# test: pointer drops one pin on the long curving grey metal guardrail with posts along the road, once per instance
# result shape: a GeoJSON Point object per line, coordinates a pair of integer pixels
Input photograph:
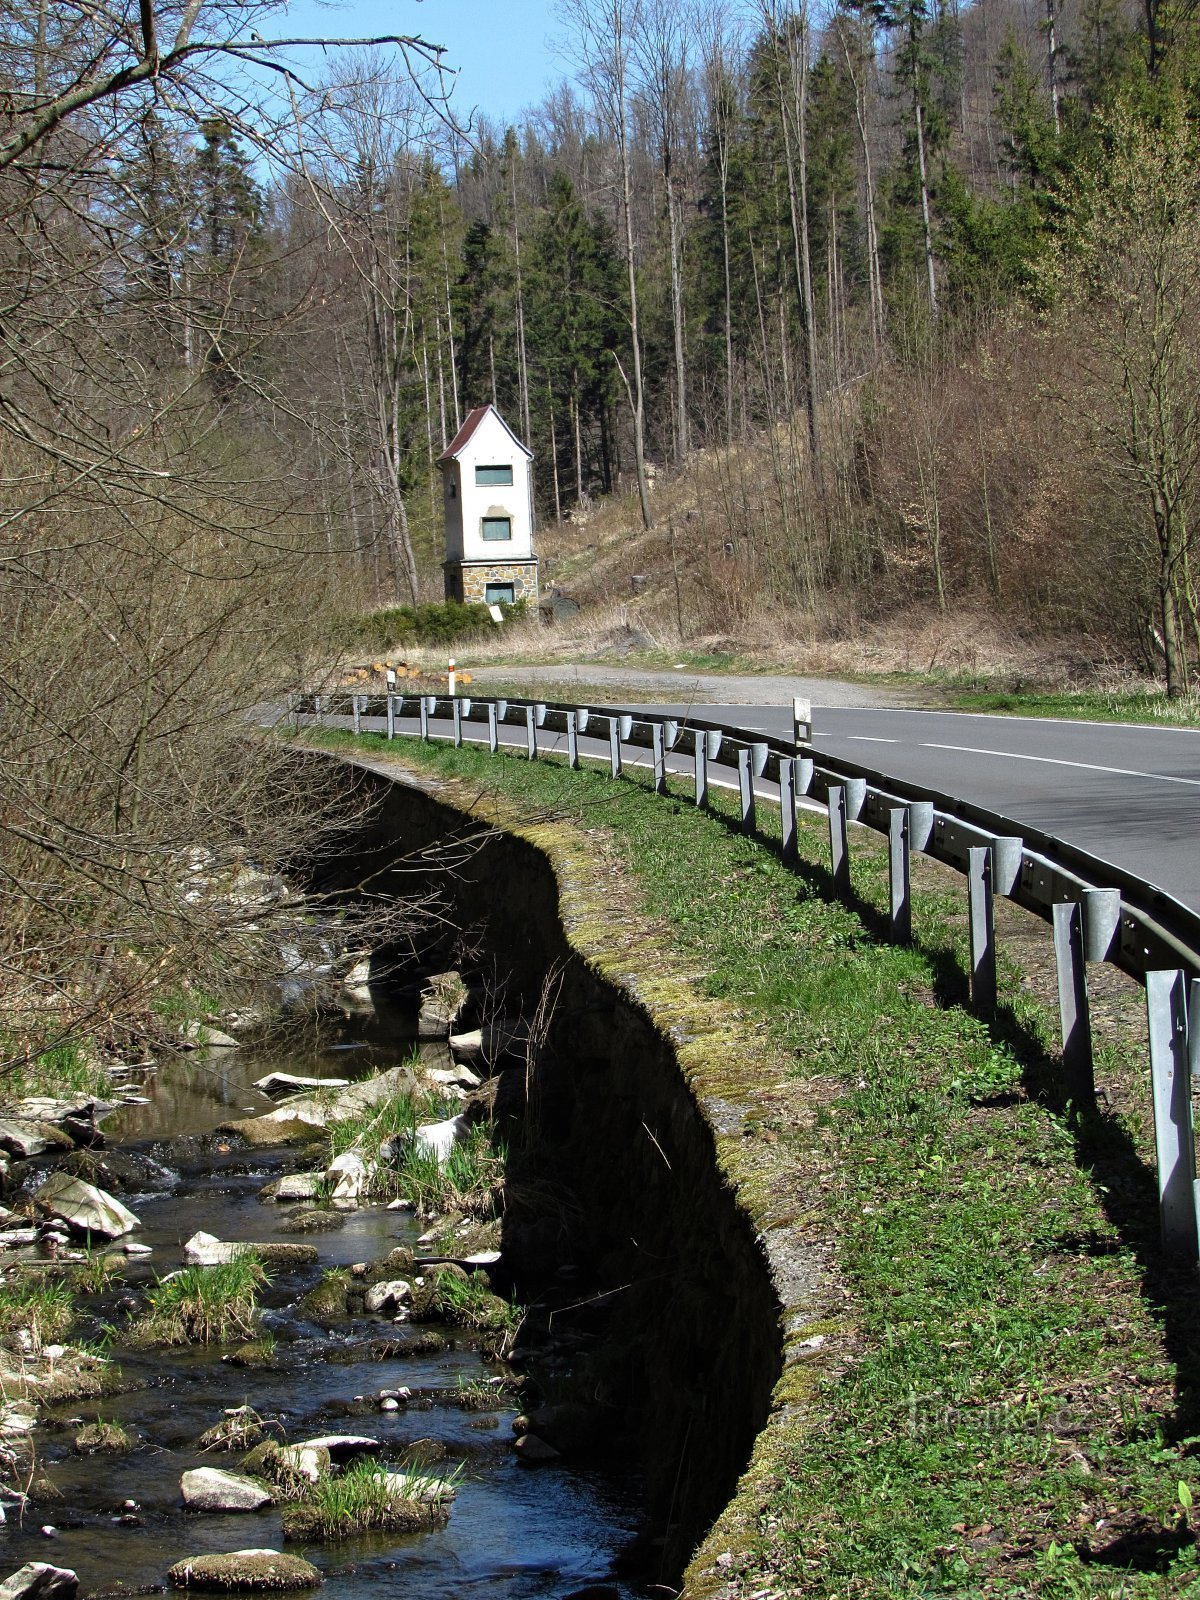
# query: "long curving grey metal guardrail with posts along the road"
{"type": "Point", "coordinates": [1098, 913]}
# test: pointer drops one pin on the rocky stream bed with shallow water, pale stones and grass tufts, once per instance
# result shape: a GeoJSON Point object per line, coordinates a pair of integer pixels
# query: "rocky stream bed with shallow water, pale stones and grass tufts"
{"type": "Point", "coordinates": [361, 1362]}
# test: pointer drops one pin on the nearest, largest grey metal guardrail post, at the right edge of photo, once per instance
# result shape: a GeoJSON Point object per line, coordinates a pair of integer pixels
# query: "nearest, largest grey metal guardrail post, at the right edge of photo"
{"type": "Point", "coordinates": [1172, 1082]}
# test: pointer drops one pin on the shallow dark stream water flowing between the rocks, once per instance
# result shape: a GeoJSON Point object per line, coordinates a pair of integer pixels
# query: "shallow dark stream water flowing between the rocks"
{"type": "Point", "coordinates": [514, 1530]}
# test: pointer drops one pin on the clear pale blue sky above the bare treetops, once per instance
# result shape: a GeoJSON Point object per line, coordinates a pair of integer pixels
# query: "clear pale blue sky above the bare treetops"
{"type": "Point", "coordinates": [503, 49]}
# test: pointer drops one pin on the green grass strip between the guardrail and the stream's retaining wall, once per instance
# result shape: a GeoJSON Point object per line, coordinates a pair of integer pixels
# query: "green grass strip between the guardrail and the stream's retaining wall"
{"type": "Point", "coordinates": [1022, 1370]}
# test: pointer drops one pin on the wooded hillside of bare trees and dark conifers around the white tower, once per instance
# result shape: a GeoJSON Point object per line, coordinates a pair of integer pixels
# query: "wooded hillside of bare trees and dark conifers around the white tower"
{"type": "Point", "coordinates": [857, 310]}
